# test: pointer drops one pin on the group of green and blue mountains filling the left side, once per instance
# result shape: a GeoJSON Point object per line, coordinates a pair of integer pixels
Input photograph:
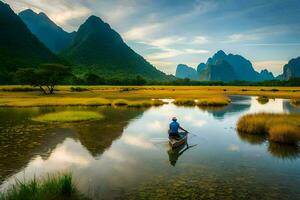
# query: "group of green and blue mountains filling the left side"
{"type": "Point", "coordinates": [30, 39]}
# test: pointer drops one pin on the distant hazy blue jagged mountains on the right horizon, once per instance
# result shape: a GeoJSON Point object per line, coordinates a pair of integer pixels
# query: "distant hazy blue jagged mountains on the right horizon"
{"type": "Point", "coordinates": [223, 67]}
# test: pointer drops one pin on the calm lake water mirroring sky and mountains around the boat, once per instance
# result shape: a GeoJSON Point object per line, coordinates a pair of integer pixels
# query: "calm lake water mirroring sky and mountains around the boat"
{"type": "Point", "coordinates": [127, 156]}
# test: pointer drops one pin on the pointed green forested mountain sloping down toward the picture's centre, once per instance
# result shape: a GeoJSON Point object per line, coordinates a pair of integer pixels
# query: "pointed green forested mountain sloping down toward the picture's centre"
{"type": "Point", "coordinates": [98, 48]}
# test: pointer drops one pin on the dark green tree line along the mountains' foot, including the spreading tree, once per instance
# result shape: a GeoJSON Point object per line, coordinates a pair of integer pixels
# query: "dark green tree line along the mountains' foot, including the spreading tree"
{"type": "Point", "coordinates": [47, 76]}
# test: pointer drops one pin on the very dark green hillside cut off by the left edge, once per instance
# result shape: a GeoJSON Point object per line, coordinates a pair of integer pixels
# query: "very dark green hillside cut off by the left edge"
{"type": "Point", "coordinates": [19, 48]}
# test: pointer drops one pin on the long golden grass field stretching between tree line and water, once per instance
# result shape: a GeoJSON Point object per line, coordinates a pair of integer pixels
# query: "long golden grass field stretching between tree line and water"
{"type": "Point", "coordinates": [105, 95]}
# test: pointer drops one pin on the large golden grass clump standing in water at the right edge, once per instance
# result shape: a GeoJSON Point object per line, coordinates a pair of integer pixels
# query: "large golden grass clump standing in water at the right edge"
{"type": "Point", "coordinates": [281, 128]}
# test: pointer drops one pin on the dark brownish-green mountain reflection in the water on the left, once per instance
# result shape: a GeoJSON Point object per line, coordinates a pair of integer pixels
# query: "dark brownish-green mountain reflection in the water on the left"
{"type": "Point", "coordinates": [22, 139]}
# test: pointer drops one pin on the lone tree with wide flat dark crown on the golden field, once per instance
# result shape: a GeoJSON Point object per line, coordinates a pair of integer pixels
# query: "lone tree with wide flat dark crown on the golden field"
{"type": "Point", "coordinates": [46, 77]}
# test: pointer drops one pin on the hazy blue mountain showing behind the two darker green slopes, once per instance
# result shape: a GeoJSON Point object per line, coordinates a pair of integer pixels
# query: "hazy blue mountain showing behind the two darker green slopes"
{"type": "Point", "coordinates": [53, 36]}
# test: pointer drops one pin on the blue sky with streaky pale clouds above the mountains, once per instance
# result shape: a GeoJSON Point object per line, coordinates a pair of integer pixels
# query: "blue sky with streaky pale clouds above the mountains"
{"type": "Point", "coordinates": [169, 32]}
